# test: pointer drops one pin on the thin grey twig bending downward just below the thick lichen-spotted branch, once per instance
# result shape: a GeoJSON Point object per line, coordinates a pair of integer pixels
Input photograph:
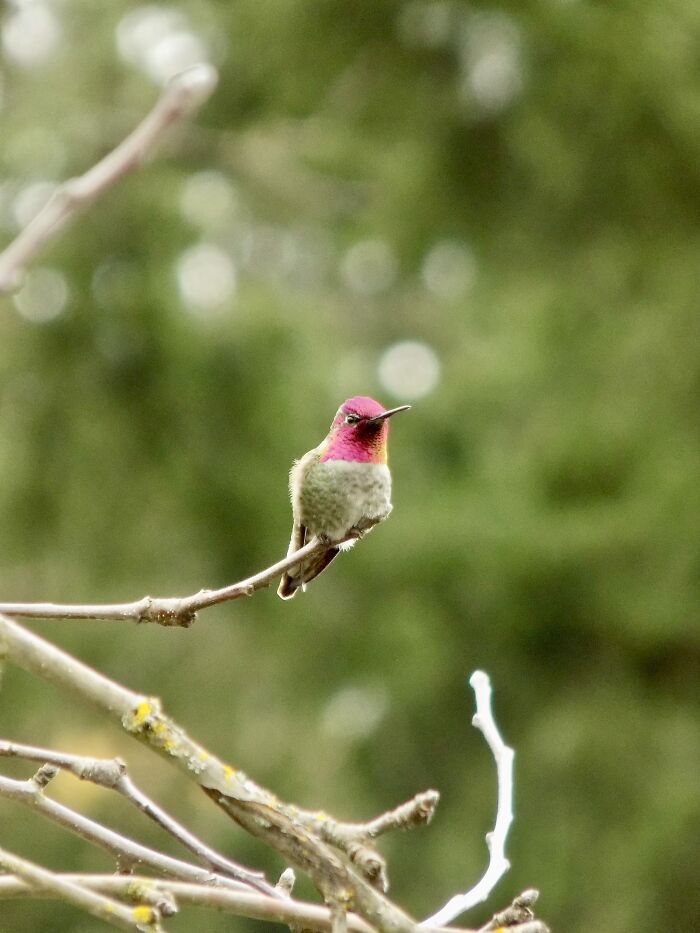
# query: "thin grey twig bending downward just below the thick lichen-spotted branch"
{"type": "Point", "coordinates": [111, 773]}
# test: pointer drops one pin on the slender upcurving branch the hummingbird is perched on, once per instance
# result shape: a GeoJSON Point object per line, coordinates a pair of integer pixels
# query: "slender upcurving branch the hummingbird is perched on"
{"type": "Point", "coordinates": [167, 610]}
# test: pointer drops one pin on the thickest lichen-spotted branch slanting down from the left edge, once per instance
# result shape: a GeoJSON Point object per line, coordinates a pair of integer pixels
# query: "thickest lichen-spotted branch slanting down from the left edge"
{"type": "Point", "coordinates": [253, 807]}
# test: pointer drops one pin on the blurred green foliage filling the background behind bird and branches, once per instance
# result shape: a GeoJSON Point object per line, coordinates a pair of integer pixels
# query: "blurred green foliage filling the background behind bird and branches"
{"type": "Point", "coordinates": [546, 489]}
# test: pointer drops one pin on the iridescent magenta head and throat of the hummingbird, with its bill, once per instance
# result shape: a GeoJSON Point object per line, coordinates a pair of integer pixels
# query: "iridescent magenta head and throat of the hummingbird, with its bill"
{"type": "Point", "coordinates": [359, 431]}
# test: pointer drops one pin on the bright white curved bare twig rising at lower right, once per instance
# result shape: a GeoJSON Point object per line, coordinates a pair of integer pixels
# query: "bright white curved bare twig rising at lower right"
{"type": "Point", "coordinates": [496, 840]}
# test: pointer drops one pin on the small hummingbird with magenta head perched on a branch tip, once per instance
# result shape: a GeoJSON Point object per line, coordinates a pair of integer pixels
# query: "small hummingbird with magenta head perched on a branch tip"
{"type": "Point", "coordinates": [340, 489]}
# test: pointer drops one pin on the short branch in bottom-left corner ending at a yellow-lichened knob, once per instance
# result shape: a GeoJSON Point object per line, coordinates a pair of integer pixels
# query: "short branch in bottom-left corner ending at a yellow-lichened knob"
{"type": "Point", "coordinates": [141, 919]}
